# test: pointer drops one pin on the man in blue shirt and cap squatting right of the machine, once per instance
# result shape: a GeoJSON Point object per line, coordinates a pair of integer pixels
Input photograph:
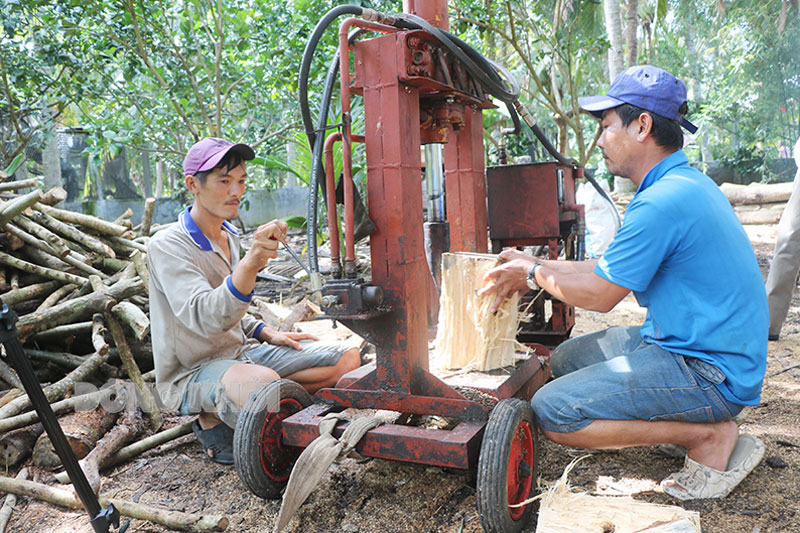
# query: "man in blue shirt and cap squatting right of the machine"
{"type": "Point", "coordinates": [700, 355]}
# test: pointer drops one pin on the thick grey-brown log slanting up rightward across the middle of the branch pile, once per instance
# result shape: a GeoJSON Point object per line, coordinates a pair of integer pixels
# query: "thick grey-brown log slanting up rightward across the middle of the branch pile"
{"type": "Point", "coordinates": [84, 306]}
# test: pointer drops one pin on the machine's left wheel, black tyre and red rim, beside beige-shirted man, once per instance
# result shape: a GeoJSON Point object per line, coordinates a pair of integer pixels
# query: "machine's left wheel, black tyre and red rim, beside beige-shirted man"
{"type": "Point", "coordinates": [261, 460]}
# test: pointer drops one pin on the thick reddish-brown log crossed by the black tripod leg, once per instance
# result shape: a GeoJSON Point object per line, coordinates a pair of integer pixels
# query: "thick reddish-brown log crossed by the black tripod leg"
{"type": "Point", "coordinates": [82, 430]}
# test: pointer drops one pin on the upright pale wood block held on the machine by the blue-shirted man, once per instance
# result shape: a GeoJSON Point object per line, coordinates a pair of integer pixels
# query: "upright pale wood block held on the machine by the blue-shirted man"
{"type": "Point", "coordinates": [469, 335]}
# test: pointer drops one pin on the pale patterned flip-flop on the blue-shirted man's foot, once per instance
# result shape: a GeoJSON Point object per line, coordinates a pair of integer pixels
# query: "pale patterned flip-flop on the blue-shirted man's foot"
{"type": "Point", "coordinates": [696, 481]}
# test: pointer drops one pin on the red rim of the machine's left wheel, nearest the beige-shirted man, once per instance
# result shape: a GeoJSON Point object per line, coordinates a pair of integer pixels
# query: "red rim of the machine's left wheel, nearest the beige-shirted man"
{"type": "Point", "coordinates": [277, 459]}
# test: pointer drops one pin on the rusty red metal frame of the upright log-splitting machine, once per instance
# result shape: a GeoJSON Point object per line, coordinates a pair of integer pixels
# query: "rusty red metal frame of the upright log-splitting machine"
{"type": "Point", "coordinates": [396, 74]}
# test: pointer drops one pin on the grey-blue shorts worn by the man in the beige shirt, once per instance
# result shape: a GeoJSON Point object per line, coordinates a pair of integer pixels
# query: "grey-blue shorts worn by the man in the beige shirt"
{"type": "Point", "coordinates": [205, 392]}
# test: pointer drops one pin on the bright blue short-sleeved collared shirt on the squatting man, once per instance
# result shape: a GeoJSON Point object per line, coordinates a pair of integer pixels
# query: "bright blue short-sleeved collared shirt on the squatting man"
{"type": "Point", "coordinates": [686, 257]}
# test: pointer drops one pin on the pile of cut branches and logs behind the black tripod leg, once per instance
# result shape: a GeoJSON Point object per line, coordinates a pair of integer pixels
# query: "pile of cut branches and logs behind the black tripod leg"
{"type": "Point", "coordinates": [79, 285]}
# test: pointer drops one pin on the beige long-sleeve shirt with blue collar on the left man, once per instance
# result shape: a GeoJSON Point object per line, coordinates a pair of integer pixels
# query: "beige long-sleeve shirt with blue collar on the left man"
{"type": "Point", "coordinates": [196, 313]}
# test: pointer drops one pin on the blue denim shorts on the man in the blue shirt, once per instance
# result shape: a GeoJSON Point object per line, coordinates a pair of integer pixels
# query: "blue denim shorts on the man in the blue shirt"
{"type": "Point", "coordinates": [615, 375]}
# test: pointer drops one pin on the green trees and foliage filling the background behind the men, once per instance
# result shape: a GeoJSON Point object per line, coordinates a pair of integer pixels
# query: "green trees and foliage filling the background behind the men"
{"type": "Point", "coordinates": [156, 76]}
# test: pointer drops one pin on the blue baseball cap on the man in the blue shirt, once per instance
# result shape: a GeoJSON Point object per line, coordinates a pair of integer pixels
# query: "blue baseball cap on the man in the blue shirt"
{"type": "Point", "coordinates": [644, 86]}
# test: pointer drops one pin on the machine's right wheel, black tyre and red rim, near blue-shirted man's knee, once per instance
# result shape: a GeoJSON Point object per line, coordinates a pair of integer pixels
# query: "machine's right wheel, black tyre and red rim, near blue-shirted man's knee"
{"type": "Point", "coordinates": [507, 467]}
